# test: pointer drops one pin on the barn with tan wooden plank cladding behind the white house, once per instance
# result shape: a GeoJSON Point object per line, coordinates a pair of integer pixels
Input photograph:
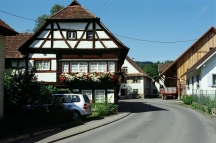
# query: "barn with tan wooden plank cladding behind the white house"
{"type": "Point", "coordinates": [172, 75]}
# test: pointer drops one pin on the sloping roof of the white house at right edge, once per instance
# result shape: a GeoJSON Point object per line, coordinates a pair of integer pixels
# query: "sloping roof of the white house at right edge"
{"type": "Point", "coordinates": [202, 61]}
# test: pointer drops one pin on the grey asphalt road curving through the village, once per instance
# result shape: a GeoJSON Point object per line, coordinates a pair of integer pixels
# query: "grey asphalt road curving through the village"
{"type": "Point", "coordinates": [153, 121]}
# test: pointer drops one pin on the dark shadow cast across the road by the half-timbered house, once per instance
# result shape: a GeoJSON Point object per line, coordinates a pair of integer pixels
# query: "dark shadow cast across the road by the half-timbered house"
{"type": "Point", "coordinates": [137, 107]}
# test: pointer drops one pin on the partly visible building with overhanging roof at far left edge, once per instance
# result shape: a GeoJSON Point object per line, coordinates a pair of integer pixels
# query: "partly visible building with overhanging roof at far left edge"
{"type": "Point", "coordinates": [5, 30]}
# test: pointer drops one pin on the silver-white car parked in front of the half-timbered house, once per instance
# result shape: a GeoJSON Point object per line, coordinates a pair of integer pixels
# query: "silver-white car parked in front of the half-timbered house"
{"type": "Point", "coordinates": [79, 103]}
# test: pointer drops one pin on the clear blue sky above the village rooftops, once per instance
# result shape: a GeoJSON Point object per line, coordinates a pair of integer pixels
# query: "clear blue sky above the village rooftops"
{"type": "Point", "coordinates": [152, 23]}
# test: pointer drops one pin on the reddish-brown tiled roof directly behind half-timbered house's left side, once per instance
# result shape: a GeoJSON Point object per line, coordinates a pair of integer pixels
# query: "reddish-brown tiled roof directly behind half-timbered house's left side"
{"type": "Point", "coordinates": [13, 43]}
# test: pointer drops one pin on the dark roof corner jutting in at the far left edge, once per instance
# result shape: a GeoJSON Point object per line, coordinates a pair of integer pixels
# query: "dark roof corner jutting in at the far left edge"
{"type": "Point", "coordinates": [6, 29]}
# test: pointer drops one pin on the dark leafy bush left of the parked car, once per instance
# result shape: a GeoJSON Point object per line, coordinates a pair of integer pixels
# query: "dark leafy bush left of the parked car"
{"type": "Point", "coordinates": [22, 88]}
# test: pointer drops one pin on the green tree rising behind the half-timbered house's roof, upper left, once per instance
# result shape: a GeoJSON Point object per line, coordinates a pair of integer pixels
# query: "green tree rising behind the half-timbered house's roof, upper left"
{"type": "Point", "coordinates": [42, 19]}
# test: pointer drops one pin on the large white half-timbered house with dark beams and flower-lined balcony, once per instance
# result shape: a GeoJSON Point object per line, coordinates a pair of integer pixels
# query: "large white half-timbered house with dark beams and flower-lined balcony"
{"type": "Point", "coordinates": [74, 46]}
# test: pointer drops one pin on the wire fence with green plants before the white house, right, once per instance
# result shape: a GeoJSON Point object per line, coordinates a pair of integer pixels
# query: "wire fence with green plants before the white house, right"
{"type": "Point", "coordinates": [205, 97]}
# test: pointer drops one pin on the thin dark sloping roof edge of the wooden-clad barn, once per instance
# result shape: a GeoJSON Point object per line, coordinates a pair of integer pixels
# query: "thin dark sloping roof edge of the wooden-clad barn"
{"type": "Point", "coordinates": [211, 29]}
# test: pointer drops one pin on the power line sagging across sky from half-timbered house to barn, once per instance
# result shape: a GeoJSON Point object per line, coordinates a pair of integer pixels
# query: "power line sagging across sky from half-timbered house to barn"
{"type": "Point", "coordinates": [143, 40]}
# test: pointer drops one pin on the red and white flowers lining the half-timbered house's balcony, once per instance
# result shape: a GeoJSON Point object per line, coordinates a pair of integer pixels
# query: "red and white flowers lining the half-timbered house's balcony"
{"type": "Point", "coordinates": [89, 77]}
